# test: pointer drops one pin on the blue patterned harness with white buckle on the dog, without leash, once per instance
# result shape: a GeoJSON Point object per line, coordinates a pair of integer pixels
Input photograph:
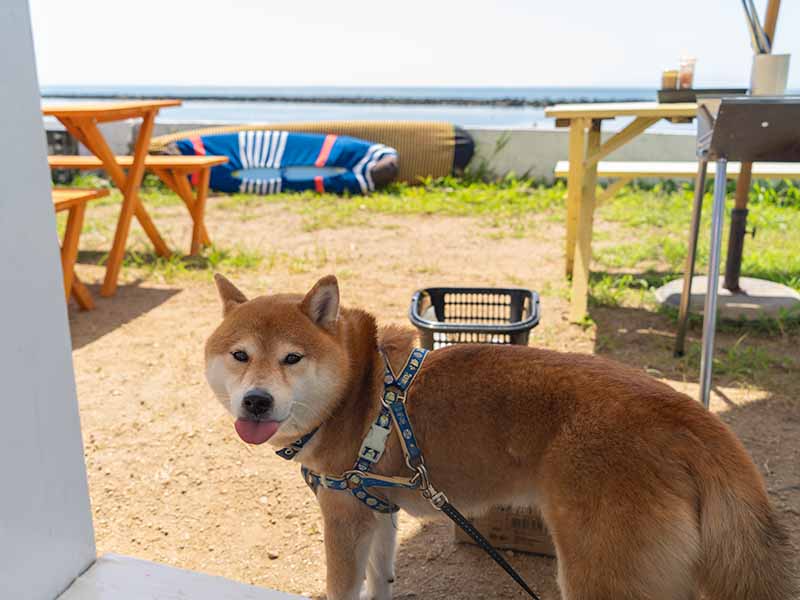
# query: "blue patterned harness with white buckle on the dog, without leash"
{"type": "Point", "coordinates": [393, 411]}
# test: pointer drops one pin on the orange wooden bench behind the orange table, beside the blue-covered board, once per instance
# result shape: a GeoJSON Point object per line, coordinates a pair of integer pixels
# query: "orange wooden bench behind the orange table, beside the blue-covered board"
{"type": "Point", "coordinates": [174, 172]}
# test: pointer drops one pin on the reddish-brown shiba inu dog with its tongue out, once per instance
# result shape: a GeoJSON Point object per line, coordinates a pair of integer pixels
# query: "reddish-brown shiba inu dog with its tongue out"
{"type": "Point", "coordinates": [646, 494]}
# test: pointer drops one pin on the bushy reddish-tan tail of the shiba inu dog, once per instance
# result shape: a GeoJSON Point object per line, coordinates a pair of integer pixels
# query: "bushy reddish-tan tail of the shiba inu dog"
{"type": "Point", "coordinates": [746, 553]}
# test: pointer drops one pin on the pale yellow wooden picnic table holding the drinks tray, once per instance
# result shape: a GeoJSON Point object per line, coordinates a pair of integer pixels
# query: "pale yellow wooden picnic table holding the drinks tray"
{"type": "Point", "coordinates": [585, 150]}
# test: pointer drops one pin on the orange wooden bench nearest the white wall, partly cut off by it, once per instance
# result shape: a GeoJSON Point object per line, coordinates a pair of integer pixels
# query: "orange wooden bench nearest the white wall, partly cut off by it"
{"type": "Point", "coordinates": [74, 201]}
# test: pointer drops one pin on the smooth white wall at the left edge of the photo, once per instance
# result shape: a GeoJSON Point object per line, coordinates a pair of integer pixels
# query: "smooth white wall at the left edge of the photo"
{"type": "Point", "coordinates": [46, 536]}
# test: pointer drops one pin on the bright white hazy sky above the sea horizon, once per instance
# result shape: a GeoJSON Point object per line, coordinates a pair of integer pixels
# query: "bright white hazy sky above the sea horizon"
{"type": "Point", "coordinates": [399, 43]}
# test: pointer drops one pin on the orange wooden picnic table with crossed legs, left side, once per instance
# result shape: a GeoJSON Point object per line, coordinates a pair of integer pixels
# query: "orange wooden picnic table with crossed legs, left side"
{"type": "Point", "coordinates": [81, 121]}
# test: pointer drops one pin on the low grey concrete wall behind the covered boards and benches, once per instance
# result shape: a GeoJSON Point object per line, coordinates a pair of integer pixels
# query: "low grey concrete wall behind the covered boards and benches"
{"type": "Point", "coordinates": [527, 151]}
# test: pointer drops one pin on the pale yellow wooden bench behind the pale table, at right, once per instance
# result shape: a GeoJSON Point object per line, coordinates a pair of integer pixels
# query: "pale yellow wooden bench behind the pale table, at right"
{"type": "Point", "coordinates": [625, 171]}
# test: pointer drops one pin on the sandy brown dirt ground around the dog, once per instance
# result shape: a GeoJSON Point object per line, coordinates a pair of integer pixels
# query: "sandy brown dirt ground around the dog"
{"type": "Point", "coordinates": [170, 481]}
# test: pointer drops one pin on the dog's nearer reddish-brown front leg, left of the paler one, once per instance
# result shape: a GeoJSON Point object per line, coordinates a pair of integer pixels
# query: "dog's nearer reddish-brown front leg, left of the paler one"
{"type": "Point", "coordinates": [349, 529]}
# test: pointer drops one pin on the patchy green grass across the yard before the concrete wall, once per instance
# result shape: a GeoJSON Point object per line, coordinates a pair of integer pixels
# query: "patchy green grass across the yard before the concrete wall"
{"type": "Point", "coordinates": [648, 236]}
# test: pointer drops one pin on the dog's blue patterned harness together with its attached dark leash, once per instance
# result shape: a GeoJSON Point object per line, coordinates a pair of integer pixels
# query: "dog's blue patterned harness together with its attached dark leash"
{"type": "Point", "coordinates": [358, 479]}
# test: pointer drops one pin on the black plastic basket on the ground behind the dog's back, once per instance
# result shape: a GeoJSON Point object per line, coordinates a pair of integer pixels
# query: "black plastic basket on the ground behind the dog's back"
{"type": "Point", "coordinates": [449, 315]}
